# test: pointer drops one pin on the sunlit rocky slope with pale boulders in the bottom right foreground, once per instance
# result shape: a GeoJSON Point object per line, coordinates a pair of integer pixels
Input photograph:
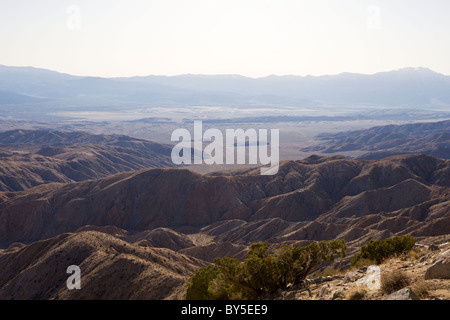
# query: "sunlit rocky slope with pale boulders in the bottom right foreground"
{"type": "Point", "coordinates": [414, 274]}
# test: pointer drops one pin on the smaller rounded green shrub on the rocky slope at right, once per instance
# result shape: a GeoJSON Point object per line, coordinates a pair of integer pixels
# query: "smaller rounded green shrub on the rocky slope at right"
{"type": "Point", "coordinates": [378, 250]}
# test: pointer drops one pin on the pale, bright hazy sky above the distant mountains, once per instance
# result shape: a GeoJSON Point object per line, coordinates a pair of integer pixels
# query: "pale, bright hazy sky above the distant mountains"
{"type": "Point", "coordinates": [249, 37]}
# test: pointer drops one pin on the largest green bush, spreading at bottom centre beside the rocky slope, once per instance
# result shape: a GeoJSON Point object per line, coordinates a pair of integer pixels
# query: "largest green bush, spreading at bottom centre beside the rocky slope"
{"type": "Point", "coordinates": [262, 270]}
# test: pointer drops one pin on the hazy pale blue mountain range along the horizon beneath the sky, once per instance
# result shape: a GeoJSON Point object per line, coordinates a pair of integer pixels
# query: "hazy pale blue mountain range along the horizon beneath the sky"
{"type": "Point", "coordinates": [411, 87]}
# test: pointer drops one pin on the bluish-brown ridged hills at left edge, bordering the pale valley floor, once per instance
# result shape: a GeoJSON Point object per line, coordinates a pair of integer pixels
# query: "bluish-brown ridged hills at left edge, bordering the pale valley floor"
{"type": "Point", "coordinates": [32, 157]}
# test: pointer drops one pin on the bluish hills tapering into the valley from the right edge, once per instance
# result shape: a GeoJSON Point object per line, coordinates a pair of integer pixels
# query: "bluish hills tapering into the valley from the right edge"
{"type": "Point", "coordinates": [431, 138]}
